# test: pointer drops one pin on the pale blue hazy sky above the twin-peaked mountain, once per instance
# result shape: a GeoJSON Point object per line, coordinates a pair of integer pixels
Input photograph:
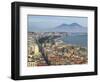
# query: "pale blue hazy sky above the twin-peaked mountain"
{"type": "Point", "coordinates": [36, 21]}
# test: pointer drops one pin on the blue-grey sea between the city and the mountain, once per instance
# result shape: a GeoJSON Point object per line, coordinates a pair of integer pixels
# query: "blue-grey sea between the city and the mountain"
{"type": "Point", "coordinates": [76, 39]}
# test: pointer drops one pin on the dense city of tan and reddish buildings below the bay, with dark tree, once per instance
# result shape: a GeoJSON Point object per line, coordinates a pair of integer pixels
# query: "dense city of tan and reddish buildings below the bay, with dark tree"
{"type": "Point", "coordinates": [47, 48]}
